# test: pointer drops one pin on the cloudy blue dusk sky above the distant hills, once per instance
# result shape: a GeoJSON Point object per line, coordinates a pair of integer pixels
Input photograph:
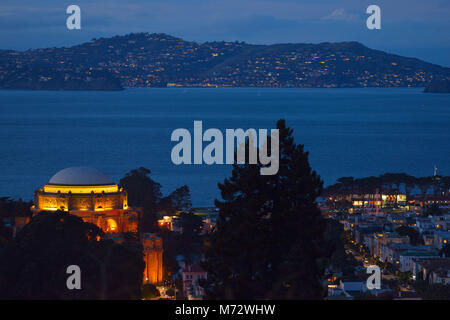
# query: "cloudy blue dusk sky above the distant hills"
{"type": "Point", "coordinates": [415, 28]}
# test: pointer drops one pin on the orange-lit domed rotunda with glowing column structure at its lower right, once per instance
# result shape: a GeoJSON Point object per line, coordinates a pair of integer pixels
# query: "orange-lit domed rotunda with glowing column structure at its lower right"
{"type": "Point", "coordinates": [91, 195]}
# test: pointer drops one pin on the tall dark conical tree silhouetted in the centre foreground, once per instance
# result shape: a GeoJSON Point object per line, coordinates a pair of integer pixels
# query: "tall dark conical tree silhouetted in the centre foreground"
{"type": "Point", "coordinates": [269, 231]}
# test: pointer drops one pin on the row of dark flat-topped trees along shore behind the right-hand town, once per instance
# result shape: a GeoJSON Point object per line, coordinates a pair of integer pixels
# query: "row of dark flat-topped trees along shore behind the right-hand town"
{"type": "Point", "coordinates": [390, 183]}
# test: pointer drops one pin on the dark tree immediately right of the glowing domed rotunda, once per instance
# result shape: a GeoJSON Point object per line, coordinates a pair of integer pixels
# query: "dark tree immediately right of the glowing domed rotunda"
{"type": "Point", "coordinates": [143, 192]}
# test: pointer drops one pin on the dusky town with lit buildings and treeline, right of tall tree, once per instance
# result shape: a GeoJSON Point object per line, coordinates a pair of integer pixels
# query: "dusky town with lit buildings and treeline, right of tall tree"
{"type": "Point", "coordinates": [406, 235]}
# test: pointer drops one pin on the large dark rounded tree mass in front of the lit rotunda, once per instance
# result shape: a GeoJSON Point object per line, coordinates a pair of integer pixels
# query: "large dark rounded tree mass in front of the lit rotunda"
{"type": "Point", "coordinates": [34, 264]}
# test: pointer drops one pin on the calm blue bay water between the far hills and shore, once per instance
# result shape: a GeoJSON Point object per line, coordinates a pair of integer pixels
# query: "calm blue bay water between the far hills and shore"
{"type": "Point", "coordinates": [356, 132]}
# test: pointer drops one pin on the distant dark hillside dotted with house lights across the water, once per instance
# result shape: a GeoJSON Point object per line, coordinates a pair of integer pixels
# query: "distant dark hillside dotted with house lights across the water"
{"type": "Point", "coordinates": [160, 60]}
